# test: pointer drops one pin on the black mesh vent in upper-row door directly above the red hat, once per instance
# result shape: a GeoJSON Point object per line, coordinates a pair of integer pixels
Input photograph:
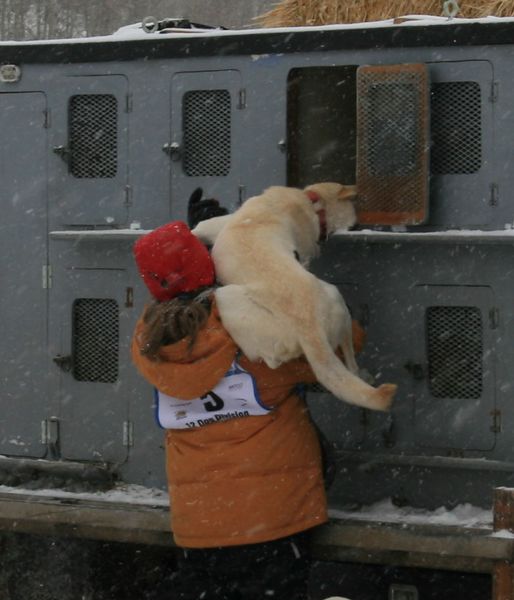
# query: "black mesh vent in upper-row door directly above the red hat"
{"type": "Point", "coordinates": [207, 133]}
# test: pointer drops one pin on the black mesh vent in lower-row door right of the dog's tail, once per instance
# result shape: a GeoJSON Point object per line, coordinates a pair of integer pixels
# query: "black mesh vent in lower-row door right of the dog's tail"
{"type": "Point", "coordinates": [454, 335]}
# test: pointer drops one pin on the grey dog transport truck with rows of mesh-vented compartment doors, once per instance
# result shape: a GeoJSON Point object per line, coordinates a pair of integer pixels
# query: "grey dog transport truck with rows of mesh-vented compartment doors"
{"type": "Point", "coordinates": [105, 138]}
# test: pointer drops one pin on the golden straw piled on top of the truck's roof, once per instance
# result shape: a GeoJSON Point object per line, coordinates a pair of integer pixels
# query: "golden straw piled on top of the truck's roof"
{"type": "Point", "coordinates": [294, 13]}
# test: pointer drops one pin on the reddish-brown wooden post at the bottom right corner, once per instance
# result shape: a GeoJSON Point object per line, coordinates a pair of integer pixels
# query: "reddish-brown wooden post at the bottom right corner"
{"type": "Point", "coordinates": [503, 519]}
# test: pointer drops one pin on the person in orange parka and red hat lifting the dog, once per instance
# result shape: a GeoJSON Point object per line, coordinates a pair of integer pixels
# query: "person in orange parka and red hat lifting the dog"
{"type": "Point", "coordinates": [243, 457]}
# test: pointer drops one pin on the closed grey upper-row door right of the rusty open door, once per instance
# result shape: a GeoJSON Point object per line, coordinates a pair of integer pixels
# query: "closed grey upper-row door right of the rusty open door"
{"type": "Point", "coordinates": [462, 101]}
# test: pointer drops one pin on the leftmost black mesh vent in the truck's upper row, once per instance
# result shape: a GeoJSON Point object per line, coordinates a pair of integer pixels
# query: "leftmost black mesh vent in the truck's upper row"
{"type": "Point", "coordinates": [93, 131]}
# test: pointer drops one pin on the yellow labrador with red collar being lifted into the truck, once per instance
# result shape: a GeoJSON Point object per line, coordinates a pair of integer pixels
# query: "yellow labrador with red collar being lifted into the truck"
{"type": "Point", "coordinates": [274, 308]}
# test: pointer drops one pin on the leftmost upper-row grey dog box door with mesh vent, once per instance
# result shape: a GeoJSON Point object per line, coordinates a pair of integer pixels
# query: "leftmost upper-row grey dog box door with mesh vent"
{"type": "Point", "coordinates": [90, 152]}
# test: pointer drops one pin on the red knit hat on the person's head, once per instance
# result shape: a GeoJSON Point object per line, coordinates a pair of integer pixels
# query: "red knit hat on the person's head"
{"type": "Point", "coordinates": [171, 261]}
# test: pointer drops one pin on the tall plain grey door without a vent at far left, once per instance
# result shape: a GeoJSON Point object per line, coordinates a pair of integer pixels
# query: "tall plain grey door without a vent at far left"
{"type": "Point", "coordinates": [24, 395]}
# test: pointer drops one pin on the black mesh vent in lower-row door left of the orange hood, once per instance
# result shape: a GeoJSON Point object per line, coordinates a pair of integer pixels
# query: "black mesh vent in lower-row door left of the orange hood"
{"type": "Point", "coordinates": [95, 340]}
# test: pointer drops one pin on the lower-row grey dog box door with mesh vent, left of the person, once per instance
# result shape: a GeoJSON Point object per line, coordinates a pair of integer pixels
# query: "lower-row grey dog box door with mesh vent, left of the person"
{"type": "Point", "coordinates": [89, 325]}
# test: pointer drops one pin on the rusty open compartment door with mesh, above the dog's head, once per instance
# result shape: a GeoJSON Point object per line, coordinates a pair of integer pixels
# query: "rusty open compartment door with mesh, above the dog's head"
{"type": "Point", "coordinates": [393, 140]}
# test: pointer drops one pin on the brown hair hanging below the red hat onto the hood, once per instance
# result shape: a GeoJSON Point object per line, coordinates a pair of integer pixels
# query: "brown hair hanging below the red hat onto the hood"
{"type": "Point", "coordinates": [172, 321]}
